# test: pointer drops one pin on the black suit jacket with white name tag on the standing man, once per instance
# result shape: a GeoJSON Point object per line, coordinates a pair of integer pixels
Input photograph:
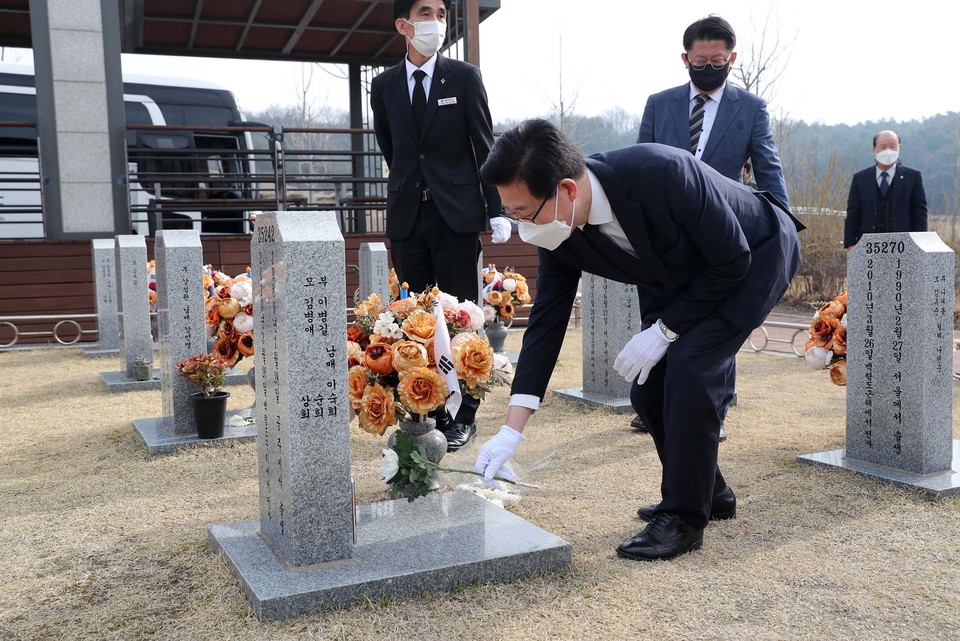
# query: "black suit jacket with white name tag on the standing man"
{"type": "Point", "coordinates": [446, 156]}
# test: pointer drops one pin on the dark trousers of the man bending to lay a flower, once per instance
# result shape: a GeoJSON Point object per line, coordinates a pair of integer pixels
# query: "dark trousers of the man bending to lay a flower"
{"type": "Point", "coordinates": [681, 405]}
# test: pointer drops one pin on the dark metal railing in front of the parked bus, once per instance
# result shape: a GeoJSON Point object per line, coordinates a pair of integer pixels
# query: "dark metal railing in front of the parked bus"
{"type": "Point", "coordinates": [216, 179]}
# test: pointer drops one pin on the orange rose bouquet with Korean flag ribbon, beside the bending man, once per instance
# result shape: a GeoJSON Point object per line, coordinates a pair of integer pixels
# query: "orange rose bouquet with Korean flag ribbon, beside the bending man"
{"type": "Point", "coordinates": [391, 351]}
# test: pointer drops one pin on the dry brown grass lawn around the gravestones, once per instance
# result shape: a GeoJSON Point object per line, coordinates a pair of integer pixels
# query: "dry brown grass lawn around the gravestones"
{"type": "Point", "coordinates": [101, 541]}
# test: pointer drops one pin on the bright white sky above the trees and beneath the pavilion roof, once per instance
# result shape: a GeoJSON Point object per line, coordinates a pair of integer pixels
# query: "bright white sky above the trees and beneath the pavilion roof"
{"type": "Point", "coordinates": [844, 61]}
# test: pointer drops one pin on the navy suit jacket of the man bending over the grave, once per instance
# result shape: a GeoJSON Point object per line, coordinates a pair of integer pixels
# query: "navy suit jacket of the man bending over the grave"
{"type": "Point", "coordinates": [705, 245]}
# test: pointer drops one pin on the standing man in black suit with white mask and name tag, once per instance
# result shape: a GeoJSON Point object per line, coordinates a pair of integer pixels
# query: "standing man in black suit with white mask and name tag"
{"type": "Point", "coordinates": [433, 126]}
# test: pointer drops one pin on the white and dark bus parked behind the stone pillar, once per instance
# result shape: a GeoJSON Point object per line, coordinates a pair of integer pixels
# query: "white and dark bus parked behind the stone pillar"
{"type": "Point", "coordinates": [191, 164]}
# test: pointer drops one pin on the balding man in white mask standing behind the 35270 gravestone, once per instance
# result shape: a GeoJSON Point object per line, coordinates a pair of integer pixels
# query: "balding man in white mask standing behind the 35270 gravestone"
{"type": "Point", "coordinates": [887, 197]}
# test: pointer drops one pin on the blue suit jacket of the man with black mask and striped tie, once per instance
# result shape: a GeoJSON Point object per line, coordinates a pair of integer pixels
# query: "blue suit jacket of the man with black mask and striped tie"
{"type": "Point", "coordinates": [741, 130]}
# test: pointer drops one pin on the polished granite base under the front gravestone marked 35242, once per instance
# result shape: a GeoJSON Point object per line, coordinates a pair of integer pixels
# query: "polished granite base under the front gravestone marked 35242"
{"type": "Point", "coordinates": [435, 544]}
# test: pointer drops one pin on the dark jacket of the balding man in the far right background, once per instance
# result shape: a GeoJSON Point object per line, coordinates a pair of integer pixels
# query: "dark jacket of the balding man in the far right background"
{"type": "Point", "coordinates": [909, 203]}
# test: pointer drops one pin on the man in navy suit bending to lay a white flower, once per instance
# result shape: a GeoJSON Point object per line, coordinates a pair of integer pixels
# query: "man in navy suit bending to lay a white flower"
{"type": "Point", "coordinates": [710, 258]}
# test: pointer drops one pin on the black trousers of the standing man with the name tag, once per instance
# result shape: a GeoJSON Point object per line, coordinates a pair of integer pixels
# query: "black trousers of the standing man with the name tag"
{"type": "Point", "coordinates": [434, 254]}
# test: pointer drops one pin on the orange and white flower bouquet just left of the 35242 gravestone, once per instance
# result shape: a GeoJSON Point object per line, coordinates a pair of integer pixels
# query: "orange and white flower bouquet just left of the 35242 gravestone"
{"type": "Point", "coordinates": [229, 314]}
